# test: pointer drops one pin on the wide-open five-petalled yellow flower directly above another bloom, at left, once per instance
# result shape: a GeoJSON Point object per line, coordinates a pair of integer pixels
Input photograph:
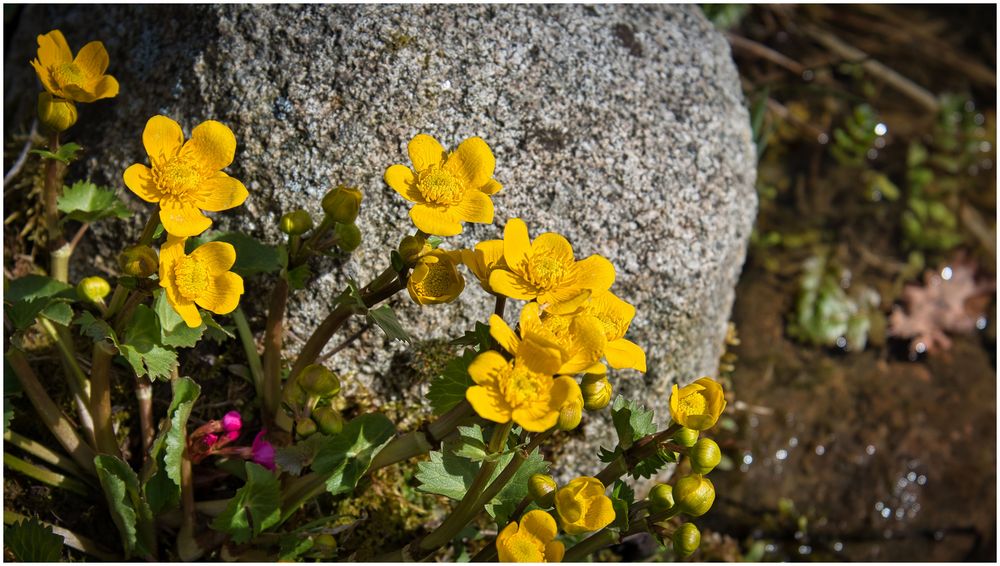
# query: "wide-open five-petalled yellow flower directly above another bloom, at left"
{"type": "Point", "coordinates": [186, 177]}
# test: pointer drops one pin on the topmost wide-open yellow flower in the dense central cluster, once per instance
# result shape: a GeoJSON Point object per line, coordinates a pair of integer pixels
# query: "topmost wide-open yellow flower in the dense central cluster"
{"type": "Point", "coordinates": [545, 270]}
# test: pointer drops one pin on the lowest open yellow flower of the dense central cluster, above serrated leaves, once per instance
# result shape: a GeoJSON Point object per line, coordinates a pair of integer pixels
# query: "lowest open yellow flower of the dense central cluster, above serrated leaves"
{"type": "Point", "coordinates": [511, 391]}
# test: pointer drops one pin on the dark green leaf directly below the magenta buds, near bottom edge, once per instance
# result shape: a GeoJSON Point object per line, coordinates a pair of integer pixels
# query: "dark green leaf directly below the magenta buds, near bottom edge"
{"type": "Point", "coordinates": [255, 508]}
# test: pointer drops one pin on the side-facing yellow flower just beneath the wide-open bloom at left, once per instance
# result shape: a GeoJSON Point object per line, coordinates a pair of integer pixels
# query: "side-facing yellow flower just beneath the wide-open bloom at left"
{"type": "Point", "coordinates": [202, 278]}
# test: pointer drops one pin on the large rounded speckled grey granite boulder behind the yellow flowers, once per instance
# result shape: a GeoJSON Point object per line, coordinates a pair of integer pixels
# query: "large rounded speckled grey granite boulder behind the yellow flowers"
{"type": "Point", "coordinates": [621, 127]}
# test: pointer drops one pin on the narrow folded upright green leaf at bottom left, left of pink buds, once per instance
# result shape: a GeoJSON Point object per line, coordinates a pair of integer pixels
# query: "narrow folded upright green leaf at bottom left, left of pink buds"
{"type": "Point", "coordinates": [128, 509]}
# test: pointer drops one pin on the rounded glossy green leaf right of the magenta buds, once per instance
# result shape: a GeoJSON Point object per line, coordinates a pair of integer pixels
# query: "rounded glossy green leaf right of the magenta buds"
{"type": "Point", "coordinates": [345, 457]}
